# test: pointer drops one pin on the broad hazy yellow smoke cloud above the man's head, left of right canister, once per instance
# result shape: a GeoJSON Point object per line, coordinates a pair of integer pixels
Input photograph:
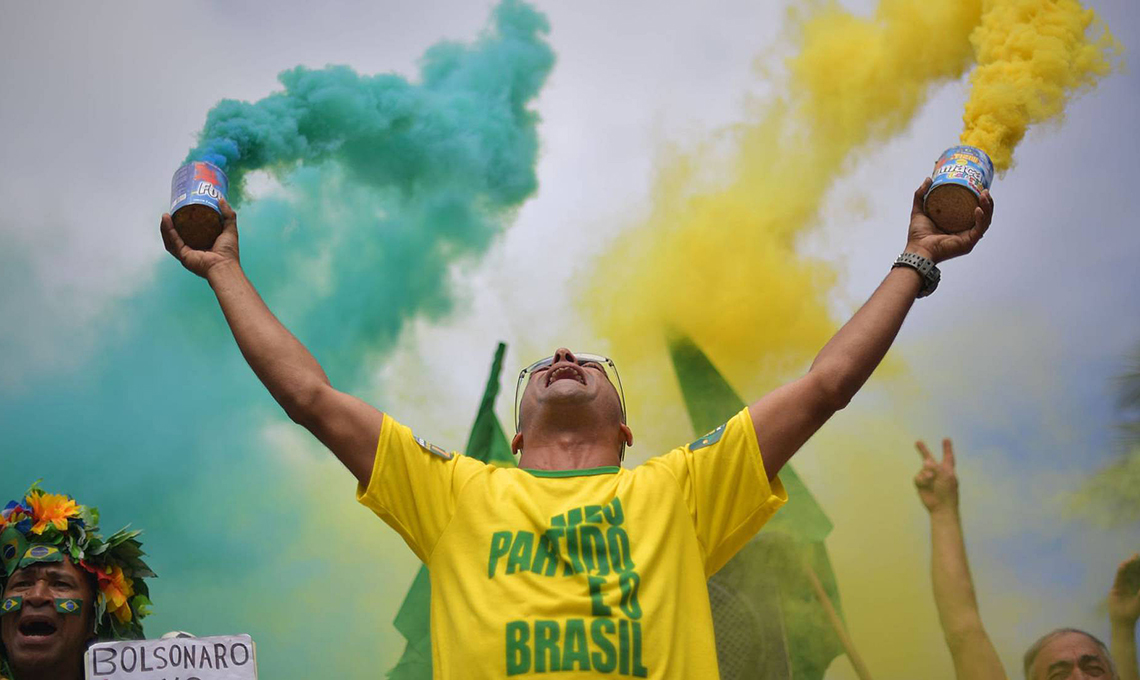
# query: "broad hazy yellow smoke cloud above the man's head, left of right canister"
{"type": "Point", "coordinates": [718, 257]}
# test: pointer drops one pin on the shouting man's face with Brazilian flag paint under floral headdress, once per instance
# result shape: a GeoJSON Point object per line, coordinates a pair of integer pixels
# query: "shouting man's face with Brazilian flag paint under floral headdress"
{"type": "Point", "coordinates": [37, 636]}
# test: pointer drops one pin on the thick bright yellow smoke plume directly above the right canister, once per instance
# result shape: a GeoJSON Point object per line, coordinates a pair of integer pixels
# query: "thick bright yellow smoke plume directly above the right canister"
{"type": "Point", "coordinates": [1033, 56]}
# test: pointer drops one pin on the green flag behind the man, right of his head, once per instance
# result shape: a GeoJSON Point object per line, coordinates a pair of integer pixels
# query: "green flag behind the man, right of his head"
{"type": "Point", "coordinates": [768, 620]}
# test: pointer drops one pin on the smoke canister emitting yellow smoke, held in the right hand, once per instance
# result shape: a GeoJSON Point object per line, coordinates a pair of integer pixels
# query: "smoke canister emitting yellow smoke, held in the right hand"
{"type": "Point", "coordinates": [960, 176]}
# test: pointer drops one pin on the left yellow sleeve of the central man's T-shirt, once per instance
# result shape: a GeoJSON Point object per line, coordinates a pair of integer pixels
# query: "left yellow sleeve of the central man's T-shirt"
{"type": "Point", "coordinates": [416, 485]}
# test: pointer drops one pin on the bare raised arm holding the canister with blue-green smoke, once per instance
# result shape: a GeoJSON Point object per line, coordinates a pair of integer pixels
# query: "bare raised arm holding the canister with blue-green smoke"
{"type": "Point", "coordinates": [343, 423]}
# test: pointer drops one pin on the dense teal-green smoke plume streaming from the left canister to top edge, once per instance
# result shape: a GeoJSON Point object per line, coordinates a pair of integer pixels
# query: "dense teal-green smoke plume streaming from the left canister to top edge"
{"type": "Point", "coordinates": [463, 132]}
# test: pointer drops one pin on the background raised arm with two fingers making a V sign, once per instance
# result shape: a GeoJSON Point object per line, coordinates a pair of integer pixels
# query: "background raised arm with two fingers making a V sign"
{"type": "Point", "coordinates": [974, 654]}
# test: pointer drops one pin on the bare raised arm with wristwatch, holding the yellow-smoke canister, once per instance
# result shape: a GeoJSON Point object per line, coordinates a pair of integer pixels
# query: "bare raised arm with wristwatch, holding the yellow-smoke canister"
{"type": "Point", "coordinates": [786, 418]}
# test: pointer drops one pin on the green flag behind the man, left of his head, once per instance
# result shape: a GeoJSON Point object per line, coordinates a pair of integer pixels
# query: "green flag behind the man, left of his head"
{"type": "Point", "coordinates": [490, 444]}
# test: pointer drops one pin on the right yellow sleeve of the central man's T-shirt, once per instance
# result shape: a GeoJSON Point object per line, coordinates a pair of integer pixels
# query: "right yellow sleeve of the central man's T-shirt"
{"type": "Point", "coordinates": [726, 488]}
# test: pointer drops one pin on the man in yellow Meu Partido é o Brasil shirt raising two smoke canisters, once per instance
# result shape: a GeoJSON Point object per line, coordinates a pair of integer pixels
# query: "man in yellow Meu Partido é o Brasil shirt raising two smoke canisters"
{"type": "Point", "coordinates": [572, 564]}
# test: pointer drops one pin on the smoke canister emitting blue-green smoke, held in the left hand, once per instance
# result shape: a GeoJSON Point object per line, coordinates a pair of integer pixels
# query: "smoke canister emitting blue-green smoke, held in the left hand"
{"type": "Point", "coordinates": [194, 195]}
